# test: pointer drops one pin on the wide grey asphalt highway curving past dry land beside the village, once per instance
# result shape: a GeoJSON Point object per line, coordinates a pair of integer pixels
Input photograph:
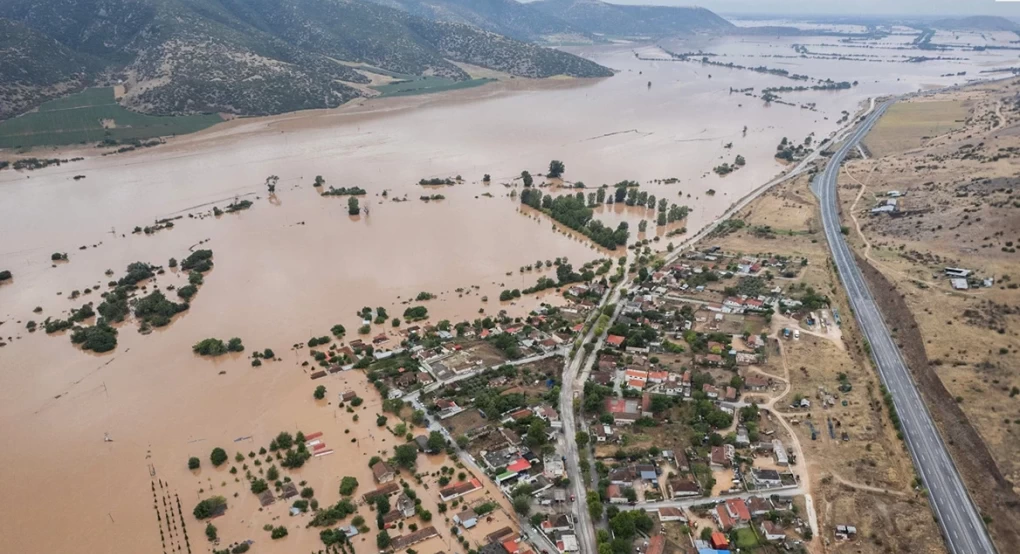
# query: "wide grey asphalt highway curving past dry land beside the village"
{"type": "Point", "coordinates": [961, 524]}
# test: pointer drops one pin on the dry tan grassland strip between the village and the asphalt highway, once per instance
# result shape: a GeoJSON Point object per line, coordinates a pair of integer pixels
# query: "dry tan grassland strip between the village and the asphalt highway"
{"type": "Point", "coordinates": [874, 457]}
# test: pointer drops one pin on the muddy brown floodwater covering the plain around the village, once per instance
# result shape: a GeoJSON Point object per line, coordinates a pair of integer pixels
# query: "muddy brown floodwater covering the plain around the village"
{"type": "Point", "coordinates": [295, 265]}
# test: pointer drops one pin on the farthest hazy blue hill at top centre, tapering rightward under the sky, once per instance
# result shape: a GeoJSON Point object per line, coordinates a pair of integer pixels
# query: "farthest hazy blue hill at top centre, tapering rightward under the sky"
{"type": "Point", "coordinates": [627, 21]}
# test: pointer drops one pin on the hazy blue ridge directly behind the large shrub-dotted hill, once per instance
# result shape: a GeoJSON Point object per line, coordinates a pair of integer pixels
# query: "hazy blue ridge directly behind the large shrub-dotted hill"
{"type": "Point", "coordinates": [508, 18]}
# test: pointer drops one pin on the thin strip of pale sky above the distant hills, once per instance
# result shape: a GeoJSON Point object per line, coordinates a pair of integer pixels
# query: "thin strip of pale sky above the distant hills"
{"type": "Point", "coordinates": [850, 8]}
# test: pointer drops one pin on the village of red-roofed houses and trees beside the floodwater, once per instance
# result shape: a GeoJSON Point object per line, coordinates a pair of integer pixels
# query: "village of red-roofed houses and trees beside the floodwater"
{"type": "Point", "coordinates": [687, 416]}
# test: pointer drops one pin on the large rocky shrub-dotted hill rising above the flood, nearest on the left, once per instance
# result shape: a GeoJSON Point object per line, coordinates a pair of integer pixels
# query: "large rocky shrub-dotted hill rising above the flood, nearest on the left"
{"type": "Point", "coordinates": [251, 57]}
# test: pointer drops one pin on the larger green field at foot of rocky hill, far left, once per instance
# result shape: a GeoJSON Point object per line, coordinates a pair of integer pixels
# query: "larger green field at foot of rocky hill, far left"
{"type": "Point", "coordinates": [79, 119]}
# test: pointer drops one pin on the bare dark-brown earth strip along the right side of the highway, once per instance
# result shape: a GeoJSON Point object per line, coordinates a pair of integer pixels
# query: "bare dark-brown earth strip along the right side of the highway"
{"type": "Point", "coordinates": [993, 492]}
